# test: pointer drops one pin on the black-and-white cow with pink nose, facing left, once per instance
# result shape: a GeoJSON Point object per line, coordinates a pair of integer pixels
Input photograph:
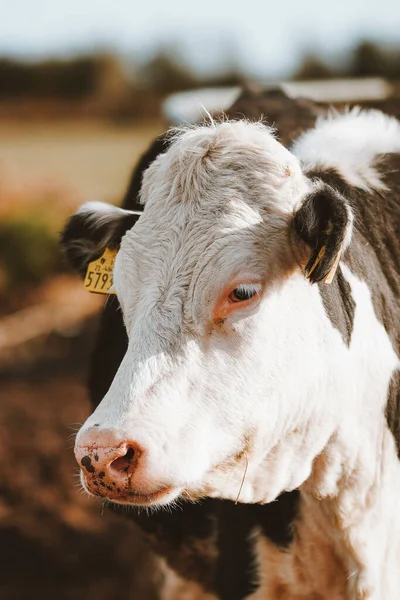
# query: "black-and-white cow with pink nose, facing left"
{"type": "Point", "coordinates": [259, 292]}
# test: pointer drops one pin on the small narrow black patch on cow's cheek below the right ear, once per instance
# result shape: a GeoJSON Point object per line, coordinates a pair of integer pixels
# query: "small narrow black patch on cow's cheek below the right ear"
{"type": "Point", "coordinates": [339, 305]}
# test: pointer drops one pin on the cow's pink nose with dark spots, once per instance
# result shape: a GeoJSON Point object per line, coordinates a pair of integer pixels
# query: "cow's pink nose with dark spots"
{"type": "Point", "coordinates": [108, 465]}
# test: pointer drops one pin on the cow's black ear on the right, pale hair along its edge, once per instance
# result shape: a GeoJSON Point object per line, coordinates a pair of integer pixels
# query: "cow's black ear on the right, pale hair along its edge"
{"type": "Point", "coordinates": [323, 224]}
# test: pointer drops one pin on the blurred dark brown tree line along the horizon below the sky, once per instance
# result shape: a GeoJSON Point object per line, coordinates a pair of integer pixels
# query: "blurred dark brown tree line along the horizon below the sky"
{"type": "Point", "coordinates": [100, 85]}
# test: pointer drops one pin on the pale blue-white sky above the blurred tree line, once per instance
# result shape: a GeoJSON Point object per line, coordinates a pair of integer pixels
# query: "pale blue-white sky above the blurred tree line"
{"type": "Point", "coordinates": [260, 36]}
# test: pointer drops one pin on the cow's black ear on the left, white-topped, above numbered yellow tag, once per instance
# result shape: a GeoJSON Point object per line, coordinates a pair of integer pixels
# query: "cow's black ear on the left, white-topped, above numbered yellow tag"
{"type": "Point", "coordinates": [93, 228]}
